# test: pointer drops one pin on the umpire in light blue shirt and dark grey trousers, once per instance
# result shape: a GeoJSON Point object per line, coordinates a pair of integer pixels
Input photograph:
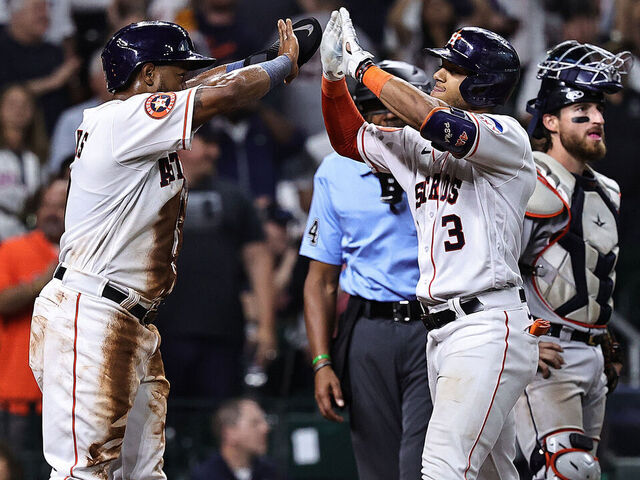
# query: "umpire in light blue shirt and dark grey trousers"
{"type": "Point", "coordinates": [378, 357]}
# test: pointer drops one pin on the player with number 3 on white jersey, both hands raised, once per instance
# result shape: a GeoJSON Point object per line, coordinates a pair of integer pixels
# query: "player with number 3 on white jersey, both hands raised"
{"type": "Point", "coordinates": [468, 175]}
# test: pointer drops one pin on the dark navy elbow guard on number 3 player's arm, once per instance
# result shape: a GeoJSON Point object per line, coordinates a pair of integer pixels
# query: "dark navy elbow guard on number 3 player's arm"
{"type": "Point", "coordinates": [450, 129]}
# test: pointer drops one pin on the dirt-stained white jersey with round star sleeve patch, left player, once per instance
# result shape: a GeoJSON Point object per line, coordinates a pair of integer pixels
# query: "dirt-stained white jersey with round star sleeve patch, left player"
{"type": "Point", "coordinates": [127, 198]}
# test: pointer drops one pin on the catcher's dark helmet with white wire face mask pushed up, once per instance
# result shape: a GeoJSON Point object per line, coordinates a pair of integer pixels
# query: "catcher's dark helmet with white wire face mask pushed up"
{"type": "Point", "coordinates": [575, 72]}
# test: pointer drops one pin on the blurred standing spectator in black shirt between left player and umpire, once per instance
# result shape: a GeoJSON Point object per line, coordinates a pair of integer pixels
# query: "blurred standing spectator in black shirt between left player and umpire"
{"type": "Point", "coordinates": [202, 322]}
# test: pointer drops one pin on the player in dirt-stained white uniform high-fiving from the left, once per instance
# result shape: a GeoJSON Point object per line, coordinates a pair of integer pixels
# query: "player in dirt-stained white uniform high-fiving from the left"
{"type": "Point", "coordinates": [93, 351]}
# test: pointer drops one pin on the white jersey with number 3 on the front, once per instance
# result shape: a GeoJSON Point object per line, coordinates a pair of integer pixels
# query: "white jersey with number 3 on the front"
{"type": "Point", "coordinates": [469, 211]}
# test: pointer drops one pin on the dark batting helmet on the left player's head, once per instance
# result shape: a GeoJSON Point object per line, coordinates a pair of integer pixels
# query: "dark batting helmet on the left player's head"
{"type": "Point", "coordinates": [142, 42]}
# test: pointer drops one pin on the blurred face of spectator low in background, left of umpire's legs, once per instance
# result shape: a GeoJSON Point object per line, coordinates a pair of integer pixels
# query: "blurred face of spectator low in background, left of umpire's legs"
{"type": "Point", "coordinates": [251, 430]}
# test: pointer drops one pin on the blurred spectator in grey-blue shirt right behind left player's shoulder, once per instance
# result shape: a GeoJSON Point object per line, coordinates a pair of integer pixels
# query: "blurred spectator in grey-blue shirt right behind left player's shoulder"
{"type": "Point", "coordinates": [63, 141]}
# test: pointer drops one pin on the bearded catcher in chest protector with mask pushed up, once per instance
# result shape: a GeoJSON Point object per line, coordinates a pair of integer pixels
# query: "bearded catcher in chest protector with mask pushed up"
{"type": "Point", "coordinates": [570, 248]}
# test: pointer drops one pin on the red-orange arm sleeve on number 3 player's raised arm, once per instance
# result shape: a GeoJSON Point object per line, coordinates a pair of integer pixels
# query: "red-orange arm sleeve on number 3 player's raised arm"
{"type": "Point", "coordinates": [341, 118]}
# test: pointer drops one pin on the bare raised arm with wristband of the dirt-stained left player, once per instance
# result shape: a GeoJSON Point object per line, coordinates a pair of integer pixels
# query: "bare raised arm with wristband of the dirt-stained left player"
{"type": "Point", "coordinates": [223, 91]}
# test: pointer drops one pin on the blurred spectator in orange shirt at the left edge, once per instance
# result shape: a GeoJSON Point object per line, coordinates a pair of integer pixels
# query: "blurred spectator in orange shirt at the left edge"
{"type": "Point", "coordinates": [27, 263]}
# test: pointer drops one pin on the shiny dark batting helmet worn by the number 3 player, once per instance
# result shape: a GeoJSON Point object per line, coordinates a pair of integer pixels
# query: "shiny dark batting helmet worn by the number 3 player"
{"type": "Point", "coordinates": [492, 63]}
